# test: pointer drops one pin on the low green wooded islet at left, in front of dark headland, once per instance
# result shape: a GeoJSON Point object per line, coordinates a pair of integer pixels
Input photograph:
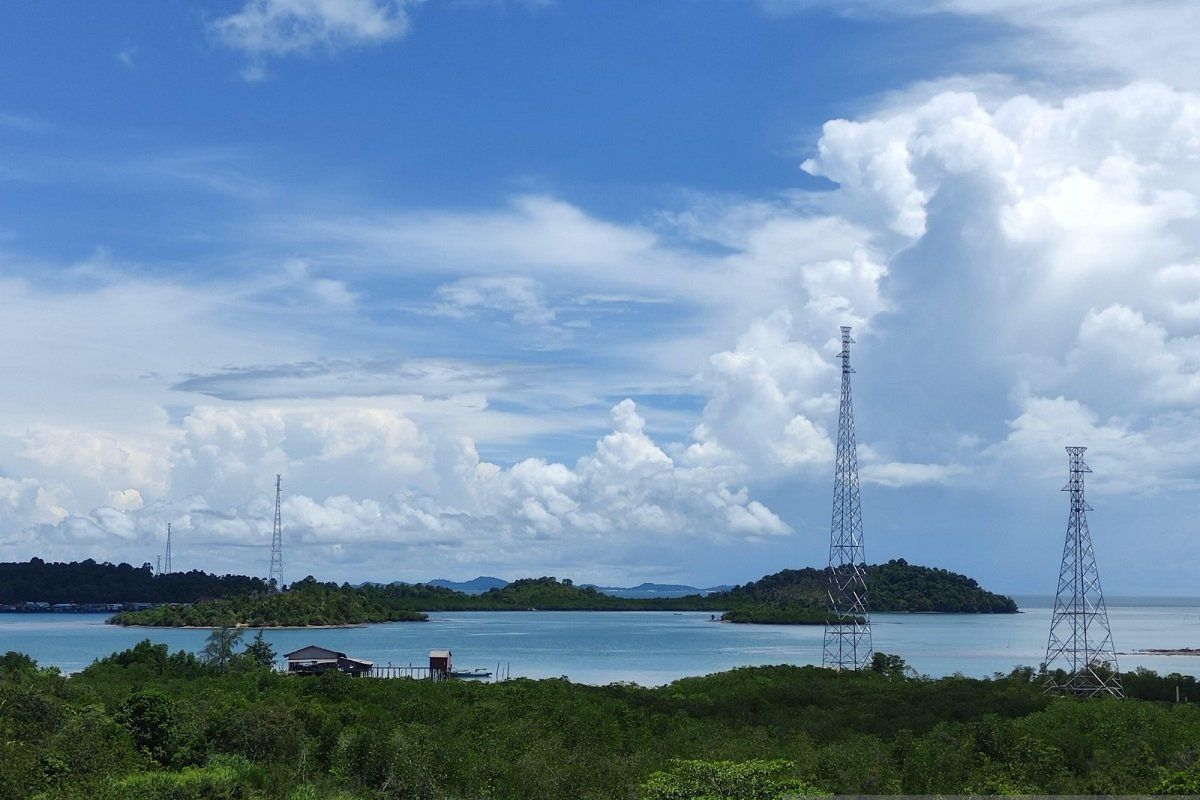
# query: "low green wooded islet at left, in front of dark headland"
{"type": "Point", "coordinates": [304, 604]}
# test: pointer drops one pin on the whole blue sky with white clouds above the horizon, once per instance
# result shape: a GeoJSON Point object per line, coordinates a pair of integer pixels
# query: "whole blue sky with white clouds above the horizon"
{"type": "Point", "coordinates": [553, 287]}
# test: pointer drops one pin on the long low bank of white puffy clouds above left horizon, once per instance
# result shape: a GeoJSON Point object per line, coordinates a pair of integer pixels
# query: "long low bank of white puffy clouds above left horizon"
{"type": "Point", "coordinates": [374, 477]}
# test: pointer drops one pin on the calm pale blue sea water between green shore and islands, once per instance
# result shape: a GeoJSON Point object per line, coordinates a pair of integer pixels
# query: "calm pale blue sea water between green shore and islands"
{"type": "Point", "coordinates": [652, 648]}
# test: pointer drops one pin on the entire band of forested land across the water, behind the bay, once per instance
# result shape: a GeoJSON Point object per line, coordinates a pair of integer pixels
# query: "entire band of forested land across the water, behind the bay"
{"type": "Point", "coordinates": [201, 600]}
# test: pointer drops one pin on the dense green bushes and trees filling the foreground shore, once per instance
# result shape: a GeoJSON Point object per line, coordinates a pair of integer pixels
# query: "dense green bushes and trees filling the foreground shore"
{"type": "Point", "coordinates": [148, 725]}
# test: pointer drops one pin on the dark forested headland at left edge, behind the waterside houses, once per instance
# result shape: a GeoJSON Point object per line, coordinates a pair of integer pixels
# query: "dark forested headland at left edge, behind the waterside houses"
{"type": "Point", "coordinates": [88, 582]}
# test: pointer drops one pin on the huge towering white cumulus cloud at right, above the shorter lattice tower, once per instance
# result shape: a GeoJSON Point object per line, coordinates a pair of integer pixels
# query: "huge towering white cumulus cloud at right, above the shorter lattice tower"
{"type": "Point", "coordinates": [1052, 244]}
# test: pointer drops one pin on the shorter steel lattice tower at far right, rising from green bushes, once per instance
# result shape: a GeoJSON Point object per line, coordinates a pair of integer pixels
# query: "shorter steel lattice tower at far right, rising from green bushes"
{"type": "Point", "coordinates": [1081, 640]}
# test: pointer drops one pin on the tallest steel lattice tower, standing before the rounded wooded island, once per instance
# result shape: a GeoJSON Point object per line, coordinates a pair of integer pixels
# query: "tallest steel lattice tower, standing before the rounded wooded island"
{"type": "Point", "coordinates": [848, 639]}
